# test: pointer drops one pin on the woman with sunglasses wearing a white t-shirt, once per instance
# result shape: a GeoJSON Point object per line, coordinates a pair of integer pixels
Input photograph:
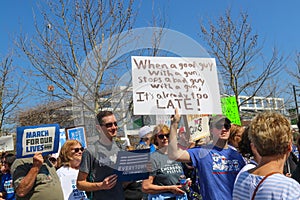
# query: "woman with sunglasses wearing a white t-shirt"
{"type": "Point", "coordinates": [68, 162]}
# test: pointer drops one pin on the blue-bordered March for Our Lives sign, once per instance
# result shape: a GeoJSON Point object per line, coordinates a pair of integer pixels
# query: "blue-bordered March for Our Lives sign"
{"type": "Point", "coordinates": [32, 139]}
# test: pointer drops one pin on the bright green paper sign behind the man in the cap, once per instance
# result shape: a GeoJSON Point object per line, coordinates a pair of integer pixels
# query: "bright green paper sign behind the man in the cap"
{"type": "Point", "coordinates": [230, 109]}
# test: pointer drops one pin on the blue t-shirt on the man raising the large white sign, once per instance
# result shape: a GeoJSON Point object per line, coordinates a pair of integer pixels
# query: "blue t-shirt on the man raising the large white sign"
{"type": "Point", "coordinates": [217, 169]}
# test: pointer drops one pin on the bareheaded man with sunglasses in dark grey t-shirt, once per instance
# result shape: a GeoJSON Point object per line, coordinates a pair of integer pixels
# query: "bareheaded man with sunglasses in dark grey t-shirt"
{"type": "Point", "coordinates": [97, 169]}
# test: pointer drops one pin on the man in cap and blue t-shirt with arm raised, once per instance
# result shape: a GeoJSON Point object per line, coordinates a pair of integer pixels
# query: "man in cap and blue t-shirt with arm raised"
{"type": "Point", "coordinates": [217, 165]}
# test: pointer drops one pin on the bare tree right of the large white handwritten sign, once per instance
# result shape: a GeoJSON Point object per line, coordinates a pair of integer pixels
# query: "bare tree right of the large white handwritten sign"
{"type": "Point", "coordinates": [243, 68]}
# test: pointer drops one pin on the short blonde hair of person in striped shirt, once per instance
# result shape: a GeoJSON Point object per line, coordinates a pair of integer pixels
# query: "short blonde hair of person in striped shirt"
{"type": "Point", "coordinates": [271, 133]}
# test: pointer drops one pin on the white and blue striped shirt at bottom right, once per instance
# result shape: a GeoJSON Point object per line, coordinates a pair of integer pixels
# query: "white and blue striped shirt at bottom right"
{"type": "Point", "coordinates": [275, 187]}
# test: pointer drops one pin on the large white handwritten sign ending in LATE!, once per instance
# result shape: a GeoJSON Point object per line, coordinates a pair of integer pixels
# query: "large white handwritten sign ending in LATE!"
{"type": "Point", "coordinates": [161, 84]}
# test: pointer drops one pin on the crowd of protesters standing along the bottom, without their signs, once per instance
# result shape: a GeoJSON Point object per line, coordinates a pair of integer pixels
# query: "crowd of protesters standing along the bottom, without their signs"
{"type": "Point", "coordinates": [235, 162]}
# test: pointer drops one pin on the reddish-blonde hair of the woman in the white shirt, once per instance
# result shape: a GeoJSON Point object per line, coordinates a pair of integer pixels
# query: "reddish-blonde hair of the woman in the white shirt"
{"type": "Point", "coordinates": [65, 154]}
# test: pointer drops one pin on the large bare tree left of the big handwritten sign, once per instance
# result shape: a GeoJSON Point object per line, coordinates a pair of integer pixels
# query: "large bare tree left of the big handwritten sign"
{"type": "Point", "coordinates": [74, 49]}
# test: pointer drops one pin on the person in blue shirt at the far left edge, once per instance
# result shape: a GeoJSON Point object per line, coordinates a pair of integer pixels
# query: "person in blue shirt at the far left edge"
{"type": "Point", "coordinates": [6, 187]}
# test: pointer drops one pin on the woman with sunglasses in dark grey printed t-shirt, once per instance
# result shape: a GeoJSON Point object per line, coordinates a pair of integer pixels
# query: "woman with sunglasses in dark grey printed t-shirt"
{"type": "Point", "coordinates": [164, 178]}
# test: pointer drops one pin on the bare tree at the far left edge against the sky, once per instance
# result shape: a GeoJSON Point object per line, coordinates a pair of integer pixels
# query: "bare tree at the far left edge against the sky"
{"type": "Point", "coordinates": [11, 94]}
